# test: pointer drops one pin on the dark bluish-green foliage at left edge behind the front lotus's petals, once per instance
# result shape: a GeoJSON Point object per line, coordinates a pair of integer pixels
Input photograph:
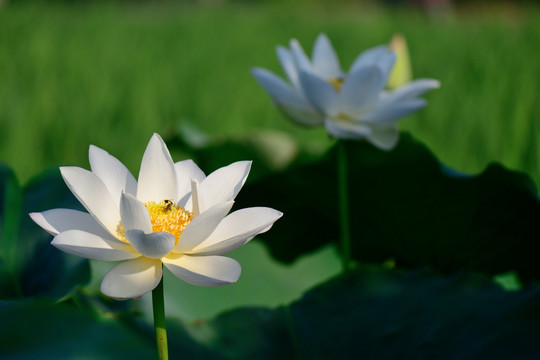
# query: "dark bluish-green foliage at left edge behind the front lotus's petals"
{"type": "Point", "coordinates": [29, 265]}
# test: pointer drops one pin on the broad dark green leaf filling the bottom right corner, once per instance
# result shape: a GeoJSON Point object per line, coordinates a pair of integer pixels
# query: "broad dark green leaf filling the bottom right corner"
{"type": "Point", "coordinates": [374, 313]}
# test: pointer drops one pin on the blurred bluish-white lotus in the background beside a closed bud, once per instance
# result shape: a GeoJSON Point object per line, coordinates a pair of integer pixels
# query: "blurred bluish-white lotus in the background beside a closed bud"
{"type": "Point", "coordinates": [351, 106]}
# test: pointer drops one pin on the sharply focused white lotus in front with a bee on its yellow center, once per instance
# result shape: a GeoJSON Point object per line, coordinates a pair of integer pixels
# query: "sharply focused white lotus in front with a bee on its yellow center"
{"type": "Point", "coordinates": [174, 215]}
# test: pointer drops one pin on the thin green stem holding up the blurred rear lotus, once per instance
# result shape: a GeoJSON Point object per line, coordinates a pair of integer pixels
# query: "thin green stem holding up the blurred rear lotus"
{"type": "Point", "coordinates": [344, 206]}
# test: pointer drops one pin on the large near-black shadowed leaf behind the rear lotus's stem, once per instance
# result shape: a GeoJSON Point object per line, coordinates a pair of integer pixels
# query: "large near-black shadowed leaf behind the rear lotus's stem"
{"type": "Point", "coordinates": [407, 207]}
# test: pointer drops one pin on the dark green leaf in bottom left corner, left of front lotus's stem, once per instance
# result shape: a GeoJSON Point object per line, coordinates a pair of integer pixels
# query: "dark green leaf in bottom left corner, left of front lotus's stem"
{"type": "Point", "coordinates": [38, 329]}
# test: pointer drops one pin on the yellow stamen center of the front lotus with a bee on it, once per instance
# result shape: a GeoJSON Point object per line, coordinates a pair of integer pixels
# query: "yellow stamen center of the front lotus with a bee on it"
{"type": "Point", "coordinates": [167, 217]}
